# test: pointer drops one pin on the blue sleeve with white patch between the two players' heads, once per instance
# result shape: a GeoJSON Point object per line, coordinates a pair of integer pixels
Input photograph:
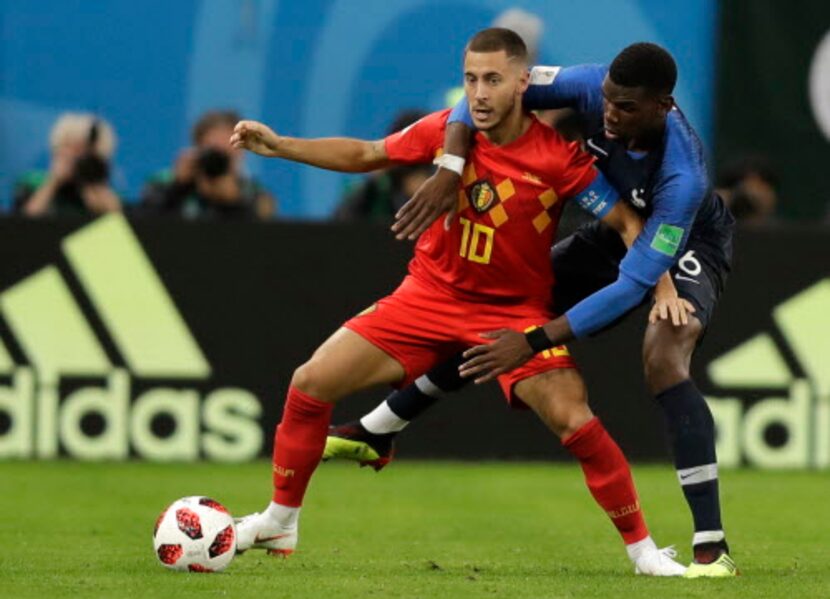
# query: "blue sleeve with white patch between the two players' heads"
{"type": "Point", "coordinates": [578, 87]}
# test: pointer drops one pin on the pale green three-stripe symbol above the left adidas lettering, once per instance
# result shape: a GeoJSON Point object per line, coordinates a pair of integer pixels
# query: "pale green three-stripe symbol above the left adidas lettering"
{"type": "Point", "coordinates": [127, 294]}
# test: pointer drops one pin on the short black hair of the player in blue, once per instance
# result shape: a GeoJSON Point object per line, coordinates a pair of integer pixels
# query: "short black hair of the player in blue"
{"type": "Point", "coordinates": [645, 65]}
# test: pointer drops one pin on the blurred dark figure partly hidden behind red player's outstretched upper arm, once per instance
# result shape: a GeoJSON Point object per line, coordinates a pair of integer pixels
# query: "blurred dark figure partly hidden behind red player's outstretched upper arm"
{"type": "Point", "coordinates": [379, 196]}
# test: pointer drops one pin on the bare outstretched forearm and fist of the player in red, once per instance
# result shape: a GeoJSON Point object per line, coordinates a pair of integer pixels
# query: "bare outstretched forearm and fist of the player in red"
{"type": "Point", "coordinates": [332, 153]}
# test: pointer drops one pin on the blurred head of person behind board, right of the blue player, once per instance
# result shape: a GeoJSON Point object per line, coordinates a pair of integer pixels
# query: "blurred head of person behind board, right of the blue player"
{"type": "Point", "coordinates": [749, 187]}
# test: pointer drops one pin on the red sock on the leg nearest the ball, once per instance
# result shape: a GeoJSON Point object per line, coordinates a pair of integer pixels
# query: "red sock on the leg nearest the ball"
{"type": "Point", "coordinates": [298, 445]}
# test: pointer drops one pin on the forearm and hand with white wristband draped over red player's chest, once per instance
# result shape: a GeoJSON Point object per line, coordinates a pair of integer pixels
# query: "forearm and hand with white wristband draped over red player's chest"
{"type": "Point", "coordinates": [438, 194]}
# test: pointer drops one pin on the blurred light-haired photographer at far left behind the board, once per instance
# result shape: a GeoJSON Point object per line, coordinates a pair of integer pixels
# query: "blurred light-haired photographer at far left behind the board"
{"type": "Point", "coordinates": [77, 182]}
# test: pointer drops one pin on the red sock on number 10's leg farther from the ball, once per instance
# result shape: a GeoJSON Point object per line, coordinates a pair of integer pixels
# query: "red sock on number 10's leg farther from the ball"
{"type": "Point", "coordinates": [609, 478]}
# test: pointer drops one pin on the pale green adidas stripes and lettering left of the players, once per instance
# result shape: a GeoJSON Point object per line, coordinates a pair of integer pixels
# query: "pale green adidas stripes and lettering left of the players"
{"type": "Point", "coordinates": [151, 338]}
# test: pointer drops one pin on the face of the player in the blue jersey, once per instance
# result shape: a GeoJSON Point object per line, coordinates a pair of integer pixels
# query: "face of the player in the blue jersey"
{"type": "Point", "coordinates": [632, 114]}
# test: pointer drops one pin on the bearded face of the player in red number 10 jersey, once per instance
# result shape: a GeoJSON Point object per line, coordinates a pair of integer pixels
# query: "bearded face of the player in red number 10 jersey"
{"type": "Point", "coordinates": [493, 84]}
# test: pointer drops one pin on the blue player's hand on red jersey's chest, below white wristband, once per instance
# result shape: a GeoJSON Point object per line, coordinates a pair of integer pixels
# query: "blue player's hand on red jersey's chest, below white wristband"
{"type": "Point", "coordinates": [436, 196]}
